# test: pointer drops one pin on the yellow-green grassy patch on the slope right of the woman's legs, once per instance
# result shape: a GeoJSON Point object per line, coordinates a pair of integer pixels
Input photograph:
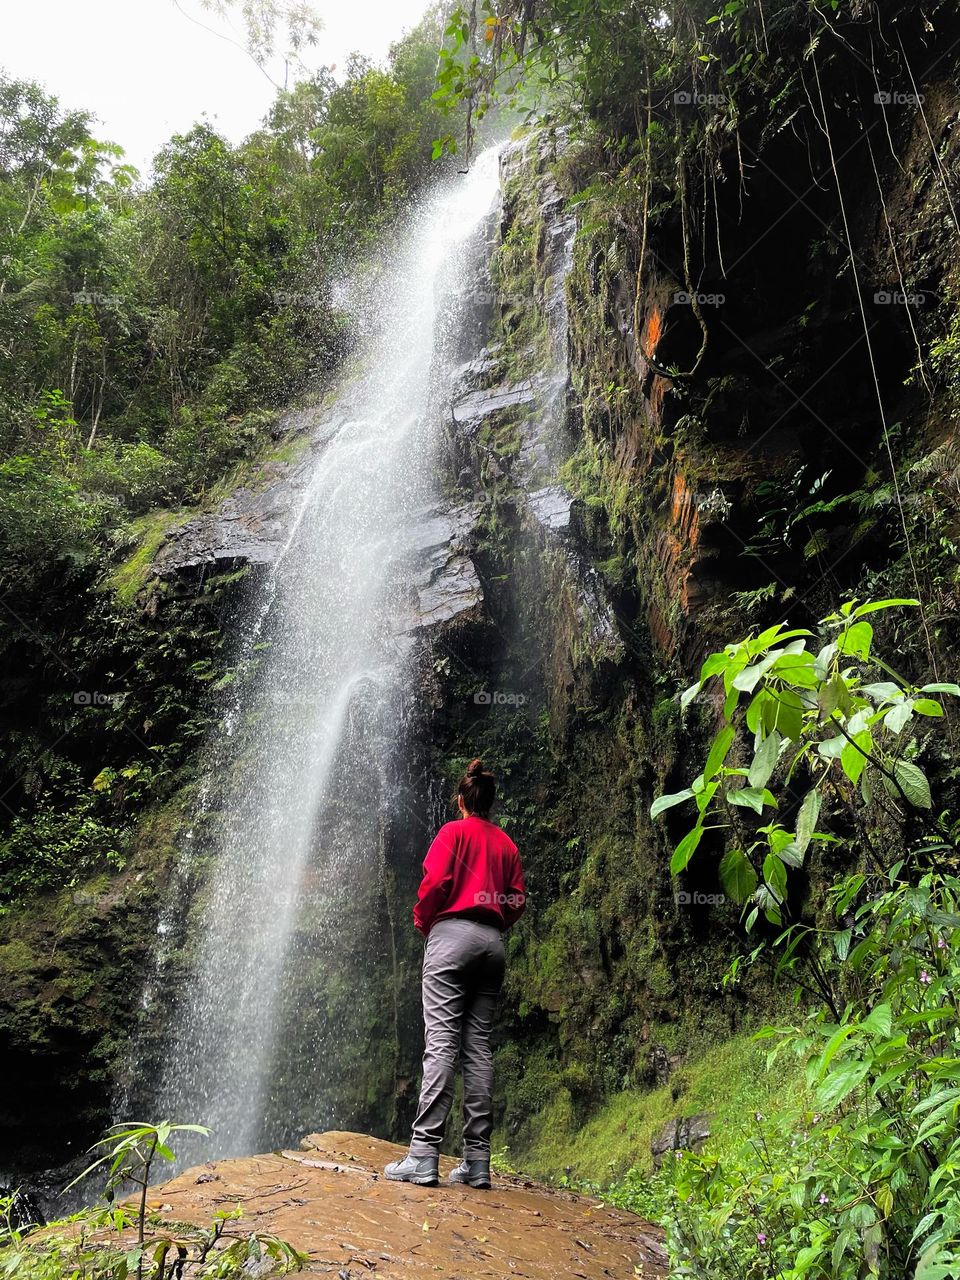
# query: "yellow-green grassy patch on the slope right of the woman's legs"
{"type": "Point", "coordinates": [730, 1082]}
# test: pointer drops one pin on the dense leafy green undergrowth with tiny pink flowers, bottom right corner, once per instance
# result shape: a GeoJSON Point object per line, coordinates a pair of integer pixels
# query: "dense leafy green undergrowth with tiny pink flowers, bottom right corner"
{"type": "Point", "coordinates": [868, 1182]}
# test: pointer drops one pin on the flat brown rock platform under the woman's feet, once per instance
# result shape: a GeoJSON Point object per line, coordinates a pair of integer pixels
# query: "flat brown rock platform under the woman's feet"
{"type": "Point", "coordinates": [332, 1201]}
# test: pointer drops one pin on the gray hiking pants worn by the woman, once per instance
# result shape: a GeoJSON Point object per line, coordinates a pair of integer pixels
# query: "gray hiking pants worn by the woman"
{"type": "Point", "coordinates": [463, 976]}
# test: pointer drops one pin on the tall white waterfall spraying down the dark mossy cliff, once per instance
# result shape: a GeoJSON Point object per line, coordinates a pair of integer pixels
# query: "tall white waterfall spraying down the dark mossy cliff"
{"type": "Point", "coordinates": [276, 1004]}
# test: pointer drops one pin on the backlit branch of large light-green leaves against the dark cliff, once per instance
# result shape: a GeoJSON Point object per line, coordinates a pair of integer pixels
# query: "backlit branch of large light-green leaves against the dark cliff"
{"type": "Point", "coordinates": [826, 719]}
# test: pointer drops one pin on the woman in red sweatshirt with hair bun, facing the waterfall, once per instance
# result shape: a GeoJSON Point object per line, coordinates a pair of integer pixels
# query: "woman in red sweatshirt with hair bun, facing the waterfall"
{"type": "Point", "coordinates": [473, 890]}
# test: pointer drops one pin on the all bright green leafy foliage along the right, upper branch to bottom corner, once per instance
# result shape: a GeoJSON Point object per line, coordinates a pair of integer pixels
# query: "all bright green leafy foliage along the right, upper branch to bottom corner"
{"type": "Point", "coordinates": [868, 1183]}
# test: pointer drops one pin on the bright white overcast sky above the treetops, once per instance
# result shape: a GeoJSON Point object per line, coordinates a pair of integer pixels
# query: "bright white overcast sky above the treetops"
{"type": "Point", "coordinates": [147, 71]}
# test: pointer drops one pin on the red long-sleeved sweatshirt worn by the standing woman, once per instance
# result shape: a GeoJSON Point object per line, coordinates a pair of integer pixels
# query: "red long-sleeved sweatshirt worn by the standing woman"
{"type": "Point", "coordinates": [473, 868]}
